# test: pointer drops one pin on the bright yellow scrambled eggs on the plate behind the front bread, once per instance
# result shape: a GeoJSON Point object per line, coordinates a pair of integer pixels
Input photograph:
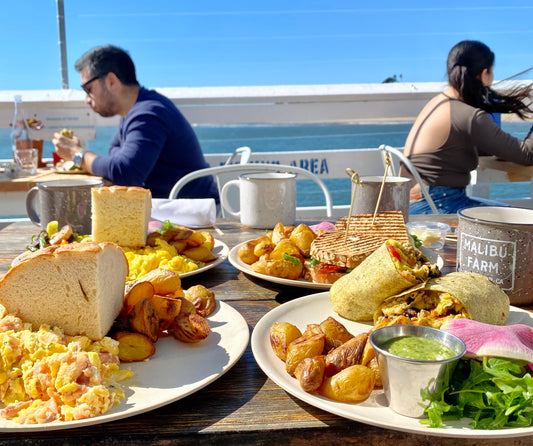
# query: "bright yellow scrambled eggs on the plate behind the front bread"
{"type": "Point", "coordinates": [163, 255]}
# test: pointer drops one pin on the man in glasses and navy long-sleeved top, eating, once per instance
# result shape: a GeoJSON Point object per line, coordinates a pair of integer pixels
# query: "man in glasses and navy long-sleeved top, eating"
{"type": "Point", "coordinates": [154, 145]}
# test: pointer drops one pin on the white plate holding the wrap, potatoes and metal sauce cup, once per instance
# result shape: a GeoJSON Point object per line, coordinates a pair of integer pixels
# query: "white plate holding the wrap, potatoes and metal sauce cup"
{"type": "Point", "coordinates": [374, 411]}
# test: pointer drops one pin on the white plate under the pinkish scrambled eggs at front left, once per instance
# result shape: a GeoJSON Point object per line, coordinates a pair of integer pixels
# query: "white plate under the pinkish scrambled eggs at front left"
{"type": "Point", "coordinates": [175, 371]}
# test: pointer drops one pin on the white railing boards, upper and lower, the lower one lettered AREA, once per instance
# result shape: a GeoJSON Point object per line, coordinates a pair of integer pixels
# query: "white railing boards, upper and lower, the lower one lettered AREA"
{"type": "Point", "coordinates": [275, 104]}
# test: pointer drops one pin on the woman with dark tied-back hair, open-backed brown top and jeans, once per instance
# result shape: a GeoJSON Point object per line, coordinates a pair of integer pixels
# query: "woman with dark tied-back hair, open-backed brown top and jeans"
{"type": "Point", "coordinates": [456, 127]}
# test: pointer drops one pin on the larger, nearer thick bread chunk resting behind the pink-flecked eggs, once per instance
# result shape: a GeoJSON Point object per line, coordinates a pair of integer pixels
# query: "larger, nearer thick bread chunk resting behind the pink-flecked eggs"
{"type": "Point", "coordinates": [78, 287]}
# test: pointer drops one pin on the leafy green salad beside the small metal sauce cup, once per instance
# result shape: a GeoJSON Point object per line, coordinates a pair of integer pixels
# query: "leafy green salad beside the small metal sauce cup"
{"type": "Point", "coordinates": [494, 392]}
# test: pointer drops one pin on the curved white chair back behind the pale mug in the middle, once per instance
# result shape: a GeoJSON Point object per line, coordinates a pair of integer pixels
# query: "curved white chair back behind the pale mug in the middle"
{"type": "Point", "coordinates": [236, 169]}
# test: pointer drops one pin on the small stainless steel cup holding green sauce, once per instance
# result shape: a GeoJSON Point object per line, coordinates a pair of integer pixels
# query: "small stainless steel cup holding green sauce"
{"type": "Point", "coordinates": [403, 378]}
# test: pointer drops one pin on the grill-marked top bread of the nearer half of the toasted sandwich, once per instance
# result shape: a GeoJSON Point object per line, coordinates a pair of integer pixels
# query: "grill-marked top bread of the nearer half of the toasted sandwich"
{"type": "Point", "coordinates": [338, 249]}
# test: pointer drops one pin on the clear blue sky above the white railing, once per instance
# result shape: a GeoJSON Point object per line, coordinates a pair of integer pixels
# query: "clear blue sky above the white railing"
{"type": "Point", "coordinates": [181, 43]}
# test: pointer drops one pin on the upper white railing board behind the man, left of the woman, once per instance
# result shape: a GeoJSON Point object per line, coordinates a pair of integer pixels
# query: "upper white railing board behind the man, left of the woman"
{"type": "Point", "coordinates": [237, 105]}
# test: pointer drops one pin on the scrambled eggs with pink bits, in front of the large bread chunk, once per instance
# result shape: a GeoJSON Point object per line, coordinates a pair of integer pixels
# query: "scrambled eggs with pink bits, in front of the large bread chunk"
{"type": "Point", "coordinates": [46, 376]}
